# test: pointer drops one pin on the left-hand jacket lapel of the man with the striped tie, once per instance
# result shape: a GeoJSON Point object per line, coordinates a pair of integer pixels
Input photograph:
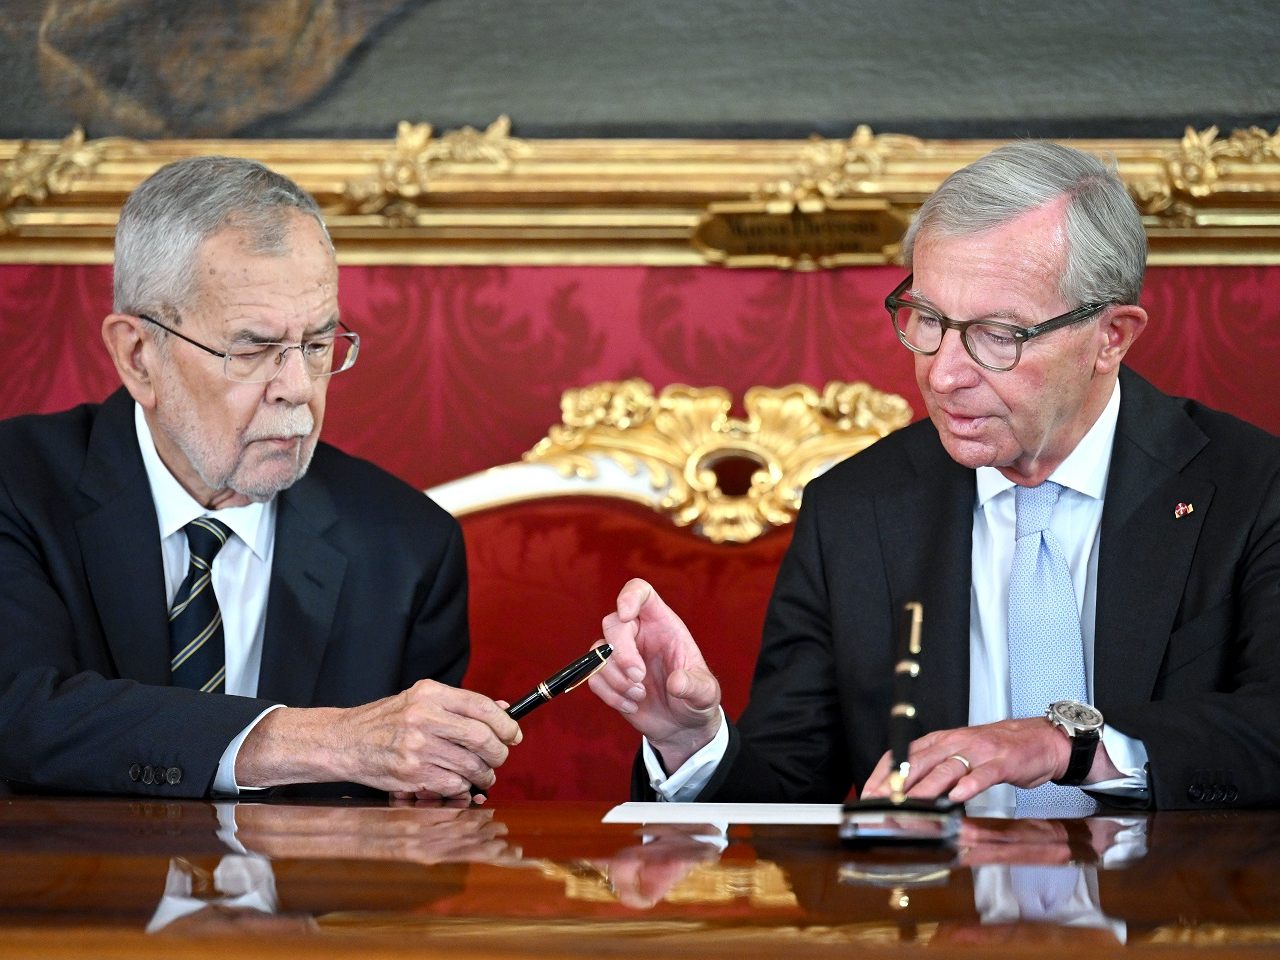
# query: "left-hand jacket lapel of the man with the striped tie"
{"type": "Point", "coordinates": [122, 524]}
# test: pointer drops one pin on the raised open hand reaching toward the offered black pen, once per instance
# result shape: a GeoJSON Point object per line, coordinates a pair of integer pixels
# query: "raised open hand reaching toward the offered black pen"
{"type": "Point", "coordinates": [657, 676]}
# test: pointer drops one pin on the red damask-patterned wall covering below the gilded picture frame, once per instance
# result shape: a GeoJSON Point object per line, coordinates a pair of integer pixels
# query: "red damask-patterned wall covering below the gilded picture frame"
{"type": "Point", "coordinates": [463, 368]}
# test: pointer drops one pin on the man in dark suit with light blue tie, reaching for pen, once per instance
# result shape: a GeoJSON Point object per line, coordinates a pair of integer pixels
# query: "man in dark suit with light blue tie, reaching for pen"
{"type": "Point", "coordinates": [1158, 573]}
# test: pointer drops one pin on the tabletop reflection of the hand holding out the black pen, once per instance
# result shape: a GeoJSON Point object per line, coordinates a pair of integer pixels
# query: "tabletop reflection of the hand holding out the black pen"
{"type": "Point", "coordinates": [415, 834]}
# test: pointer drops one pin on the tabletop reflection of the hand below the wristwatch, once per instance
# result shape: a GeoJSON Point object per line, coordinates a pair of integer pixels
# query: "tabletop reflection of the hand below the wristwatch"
{"type": "Point", "coordinates": [1032, 842]}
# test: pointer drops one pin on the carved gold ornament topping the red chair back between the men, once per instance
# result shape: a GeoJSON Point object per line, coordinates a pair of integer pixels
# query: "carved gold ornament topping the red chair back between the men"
{"type": "Point", "coordinates": [683, 436]}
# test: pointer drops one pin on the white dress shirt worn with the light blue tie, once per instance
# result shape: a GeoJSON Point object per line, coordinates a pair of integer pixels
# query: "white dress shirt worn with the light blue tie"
{"type": "Point", "coordinates": [1077, 523]}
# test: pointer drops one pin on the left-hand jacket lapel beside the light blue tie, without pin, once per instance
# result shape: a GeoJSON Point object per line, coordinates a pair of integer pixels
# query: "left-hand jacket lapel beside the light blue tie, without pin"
{"type": "Point", "coordinates": [927, 550]}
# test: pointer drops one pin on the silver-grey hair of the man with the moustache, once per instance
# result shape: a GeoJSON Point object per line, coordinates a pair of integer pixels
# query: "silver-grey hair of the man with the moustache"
{"type": "Point", "coordinates": [172, 213]}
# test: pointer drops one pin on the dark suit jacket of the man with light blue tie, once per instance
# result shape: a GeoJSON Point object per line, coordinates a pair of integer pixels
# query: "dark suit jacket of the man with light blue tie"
{"type": "Point", "coordinates": [1188, 611]}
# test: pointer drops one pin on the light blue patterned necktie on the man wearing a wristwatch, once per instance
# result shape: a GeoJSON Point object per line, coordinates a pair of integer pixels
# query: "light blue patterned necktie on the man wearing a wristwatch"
{"type": "Point", "coordinates": [1046, 652]}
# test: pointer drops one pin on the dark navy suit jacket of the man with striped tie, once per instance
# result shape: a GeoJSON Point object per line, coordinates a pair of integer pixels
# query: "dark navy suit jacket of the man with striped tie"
{"type": "Point", "coordinates": [368, 596]}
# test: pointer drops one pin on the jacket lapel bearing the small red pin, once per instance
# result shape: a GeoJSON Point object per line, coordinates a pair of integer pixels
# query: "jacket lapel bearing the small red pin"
{"type": "Point", "coordinates": [1146, 551]}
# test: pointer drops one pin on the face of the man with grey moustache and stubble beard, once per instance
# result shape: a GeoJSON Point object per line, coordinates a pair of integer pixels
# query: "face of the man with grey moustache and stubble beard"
{"type": "Point", "coordinates": [231, 444]}
